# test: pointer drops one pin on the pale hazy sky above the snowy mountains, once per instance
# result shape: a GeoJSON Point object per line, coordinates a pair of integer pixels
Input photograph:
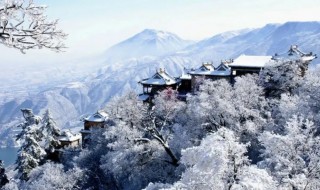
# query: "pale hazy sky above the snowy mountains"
{"type": "Point", "coordinates": [95, 25]}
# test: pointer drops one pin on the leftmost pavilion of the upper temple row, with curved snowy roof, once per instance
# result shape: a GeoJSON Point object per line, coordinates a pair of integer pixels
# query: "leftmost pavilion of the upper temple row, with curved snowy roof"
{"type": "Point", "coordinates": [158, 82]}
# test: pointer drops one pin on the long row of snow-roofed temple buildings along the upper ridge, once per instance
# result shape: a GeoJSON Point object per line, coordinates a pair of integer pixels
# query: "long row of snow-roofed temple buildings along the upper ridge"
{"type": "Point", "coordinates": [189, 81]}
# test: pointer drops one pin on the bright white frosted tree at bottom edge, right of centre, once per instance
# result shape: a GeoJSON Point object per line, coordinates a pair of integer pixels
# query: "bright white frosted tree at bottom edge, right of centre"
{"type": "Point", "coordinates": [219, 163]}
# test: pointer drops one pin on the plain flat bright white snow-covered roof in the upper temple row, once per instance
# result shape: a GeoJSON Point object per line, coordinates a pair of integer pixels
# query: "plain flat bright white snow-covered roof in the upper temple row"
{"type": "Point", "coordinates": [250, 61]}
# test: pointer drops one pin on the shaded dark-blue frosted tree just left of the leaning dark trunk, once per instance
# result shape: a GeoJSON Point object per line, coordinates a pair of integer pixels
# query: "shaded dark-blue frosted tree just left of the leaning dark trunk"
{"type": "Point", "coordinates": [132, 159]}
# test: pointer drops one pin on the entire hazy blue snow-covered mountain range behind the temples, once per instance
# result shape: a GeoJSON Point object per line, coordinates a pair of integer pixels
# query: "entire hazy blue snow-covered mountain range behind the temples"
{"type": "Point", "coordinates": [138, 57]}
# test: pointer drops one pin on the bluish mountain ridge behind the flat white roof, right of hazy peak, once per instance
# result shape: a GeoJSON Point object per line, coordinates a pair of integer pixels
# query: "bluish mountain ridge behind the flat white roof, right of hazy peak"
{"type": "Point", "coordinates": [268, 40]}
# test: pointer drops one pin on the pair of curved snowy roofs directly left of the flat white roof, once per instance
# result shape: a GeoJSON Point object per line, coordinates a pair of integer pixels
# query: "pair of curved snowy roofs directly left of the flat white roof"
{"type": "Point", "coordinates": [222, 70]}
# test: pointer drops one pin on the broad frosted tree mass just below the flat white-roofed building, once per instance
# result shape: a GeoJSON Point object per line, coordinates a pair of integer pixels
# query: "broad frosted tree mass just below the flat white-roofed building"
{"type": "Point", "coordinates": [241, 107]}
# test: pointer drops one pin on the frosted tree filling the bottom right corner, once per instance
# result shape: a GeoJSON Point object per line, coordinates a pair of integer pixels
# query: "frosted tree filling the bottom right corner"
{"type": "Point", "coordinates": [294, 158]}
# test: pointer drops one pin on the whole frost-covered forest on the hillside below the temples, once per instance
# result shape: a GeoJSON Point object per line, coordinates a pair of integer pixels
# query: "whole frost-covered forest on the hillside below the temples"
{"type": "Point", "coordinates": [259, 133]}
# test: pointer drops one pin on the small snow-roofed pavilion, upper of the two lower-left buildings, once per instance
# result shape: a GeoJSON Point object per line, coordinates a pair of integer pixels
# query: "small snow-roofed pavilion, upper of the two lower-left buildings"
{"type": "Point", "coordinates": [92, 122]}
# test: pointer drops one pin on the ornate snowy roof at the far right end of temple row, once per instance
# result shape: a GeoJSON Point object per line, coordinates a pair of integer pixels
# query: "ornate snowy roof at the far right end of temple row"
{"type": "Point", "coordinates": [295, 54]}
